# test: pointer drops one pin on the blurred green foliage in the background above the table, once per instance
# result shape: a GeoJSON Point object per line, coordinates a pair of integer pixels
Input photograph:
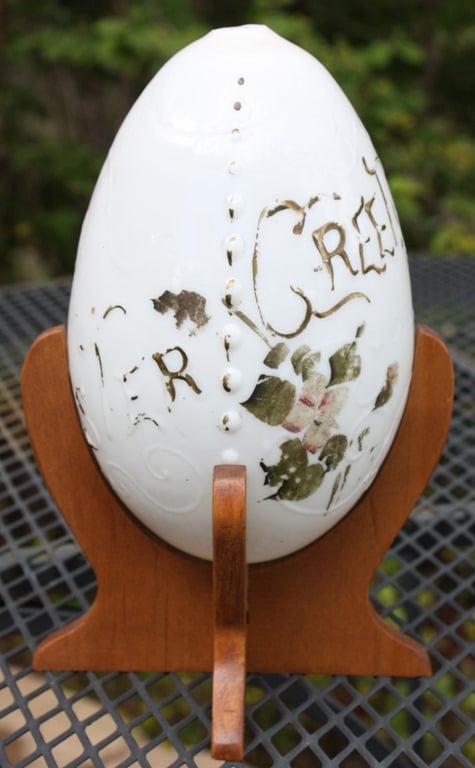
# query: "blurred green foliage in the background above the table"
{"type": "Point", "coordinates": [71, 69]}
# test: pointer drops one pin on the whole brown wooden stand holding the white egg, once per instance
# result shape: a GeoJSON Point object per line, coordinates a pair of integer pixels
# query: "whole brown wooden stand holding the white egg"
{"type": "Point", "coordinates": [156, 607]}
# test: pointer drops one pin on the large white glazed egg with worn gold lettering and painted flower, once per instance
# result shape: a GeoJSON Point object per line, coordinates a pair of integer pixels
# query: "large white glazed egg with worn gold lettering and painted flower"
{"type": "Point", "coordinates": [241, 295]}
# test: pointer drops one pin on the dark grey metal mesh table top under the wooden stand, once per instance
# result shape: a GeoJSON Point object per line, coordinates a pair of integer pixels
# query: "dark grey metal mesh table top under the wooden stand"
{"type": "Point", "coordinates": [426, 585]}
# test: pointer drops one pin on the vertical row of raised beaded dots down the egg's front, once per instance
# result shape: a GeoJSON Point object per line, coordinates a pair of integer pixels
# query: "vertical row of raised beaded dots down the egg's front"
{"type": "Point", "coordinates": [234, 250]}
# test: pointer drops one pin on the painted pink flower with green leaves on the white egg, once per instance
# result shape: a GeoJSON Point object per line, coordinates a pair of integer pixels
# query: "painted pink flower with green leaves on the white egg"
{"type": "Point", "coordinates": [312, 415]}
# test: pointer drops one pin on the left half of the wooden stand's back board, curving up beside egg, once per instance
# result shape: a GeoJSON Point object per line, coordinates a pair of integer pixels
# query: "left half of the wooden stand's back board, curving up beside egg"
{"type": "Point", "coordinates": [153, 609]}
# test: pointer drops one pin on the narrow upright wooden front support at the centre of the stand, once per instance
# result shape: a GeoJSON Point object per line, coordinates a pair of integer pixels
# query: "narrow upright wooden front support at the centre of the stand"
{"type": "Point", "coordinates": [230, 609]}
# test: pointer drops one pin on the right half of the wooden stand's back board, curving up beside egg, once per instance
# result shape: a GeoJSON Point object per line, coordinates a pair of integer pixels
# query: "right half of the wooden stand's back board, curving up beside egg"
{"type": "Point", "coordinates": [342, 633]}
